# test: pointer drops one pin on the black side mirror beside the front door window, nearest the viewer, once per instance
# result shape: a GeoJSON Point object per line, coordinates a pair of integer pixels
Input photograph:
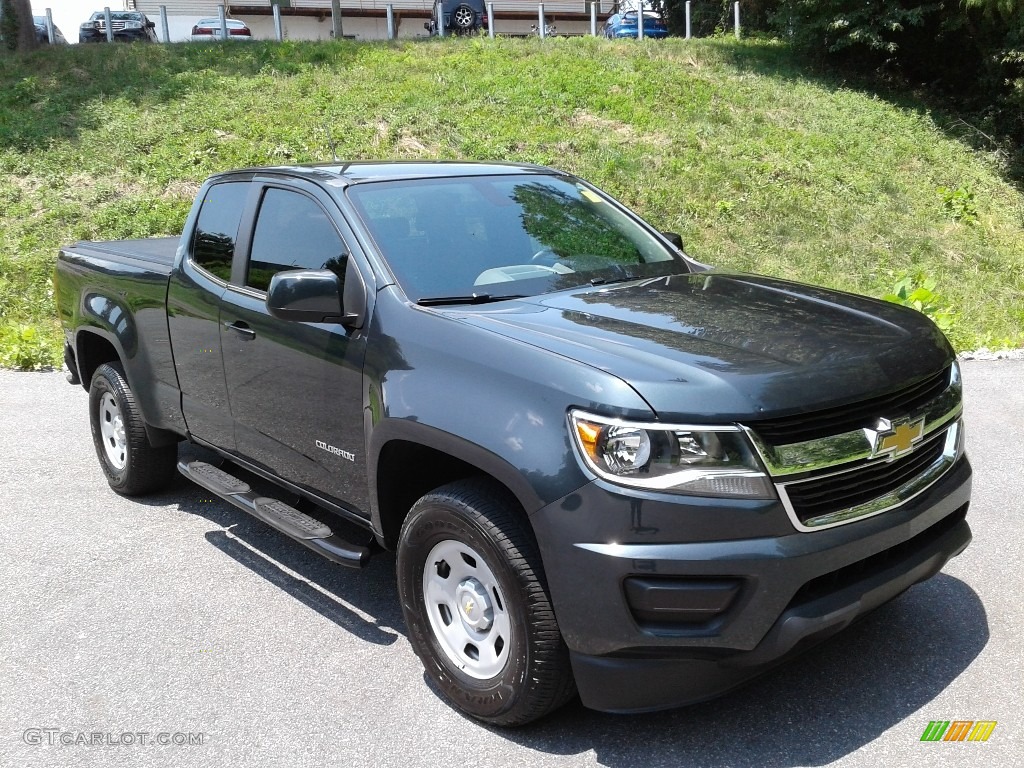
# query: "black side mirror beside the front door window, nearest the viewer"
{"type": "Point", "coordinates": [318, 296]}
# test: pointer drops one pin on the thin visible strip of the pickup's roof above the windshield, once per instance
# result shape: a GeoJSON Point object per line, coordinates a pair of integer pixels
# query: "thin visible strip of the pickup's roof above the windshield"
{"type": "Point", "coordinates": [363, 172]}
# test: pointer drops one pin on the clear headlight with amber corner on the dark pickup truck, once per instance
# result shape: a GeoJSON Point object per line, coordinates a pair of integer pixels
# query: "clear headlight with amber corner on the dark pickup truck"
{"type": "Point", "coordinates": [701, 461]}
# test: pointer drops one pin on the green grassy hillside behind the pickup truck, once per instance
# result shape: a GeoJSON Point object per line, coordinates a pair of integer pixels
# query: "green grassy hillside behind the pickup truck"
{"type": "Point", "coordinates": [760, 166]}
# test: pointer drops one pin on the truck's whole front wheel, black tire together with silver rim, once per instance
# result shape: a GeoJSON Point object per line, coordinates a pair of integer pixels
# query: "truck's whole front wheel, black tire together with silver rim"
{"type": "Point", "coordinates": [481, 519]}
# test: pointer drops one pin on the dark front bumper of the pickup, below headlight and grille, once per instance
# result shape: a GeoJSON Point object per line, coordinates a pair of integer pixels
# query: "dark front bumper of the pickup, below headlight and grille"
{"type": "Point", "coordinates": [662, 604]}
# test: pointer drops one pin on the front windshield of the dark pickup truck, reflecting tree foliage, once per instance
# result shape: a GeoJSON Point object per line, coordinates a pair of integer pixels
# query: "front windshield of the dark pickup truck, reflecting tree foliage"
{"type": "Point", "coordinates": [505, 236]}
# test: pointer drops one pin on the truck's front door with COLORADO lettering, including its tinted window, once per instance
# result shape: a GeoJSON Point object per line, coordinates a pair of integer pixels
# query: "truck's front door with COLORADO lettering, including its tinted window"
{"type": "Point", "coordinates": [295, 389]}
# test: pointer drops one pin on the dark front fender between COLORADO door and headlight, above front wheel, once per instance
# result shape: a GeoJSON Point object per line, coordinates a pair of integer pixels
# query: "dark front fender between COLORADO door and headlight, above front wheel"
{"type": "Point", "coordinates": [490, 401]}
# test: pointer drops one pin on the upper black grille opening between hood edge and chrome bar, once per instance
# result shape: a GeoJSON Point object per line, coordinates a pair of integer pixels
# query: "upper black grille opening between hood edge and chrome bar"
{"type": "Point", "coordinates": [813, 426]}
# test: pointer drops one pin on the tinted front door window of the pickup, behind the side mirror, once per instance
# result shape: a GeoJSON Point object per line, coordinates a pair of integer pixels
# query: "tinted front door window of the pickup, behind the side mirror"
{"type": "Point", "coordinates": [293, 233]}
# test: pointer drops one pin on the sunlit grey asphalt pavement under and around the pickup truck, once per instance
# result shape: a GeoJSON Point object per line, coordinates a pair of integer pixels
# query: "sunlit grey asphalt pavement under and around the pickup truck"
{"type": "Point", "coordinates": [179, 631]}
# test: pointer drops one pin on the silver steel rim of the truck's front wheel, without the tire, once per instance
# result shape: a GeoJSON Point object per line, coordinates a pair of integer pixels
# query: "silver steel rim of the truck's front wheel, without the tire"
{"type": "Point", "coordinates": [466, 610]}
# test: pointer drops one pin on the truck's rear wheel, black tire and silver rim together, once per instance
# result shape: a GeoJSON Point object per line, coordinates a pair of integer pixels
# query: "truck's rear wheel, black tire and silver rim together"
{"type": "Point", "coordinates": [132, 464]}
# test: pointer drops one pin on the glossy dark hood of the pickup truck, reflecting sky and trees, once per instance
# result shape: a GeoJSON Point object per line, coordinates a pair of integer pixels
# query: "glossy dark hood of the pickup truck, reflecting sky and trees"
{"type": "Point", "coordinates": [717, 347]}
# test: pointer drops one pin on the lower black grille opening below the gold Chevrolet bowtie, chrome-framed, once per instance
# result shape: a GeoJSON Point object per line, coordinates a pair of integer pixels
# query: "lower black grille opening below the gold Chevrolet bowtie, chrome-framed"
{"type": "Point", "coordinates": [824, 496]}
